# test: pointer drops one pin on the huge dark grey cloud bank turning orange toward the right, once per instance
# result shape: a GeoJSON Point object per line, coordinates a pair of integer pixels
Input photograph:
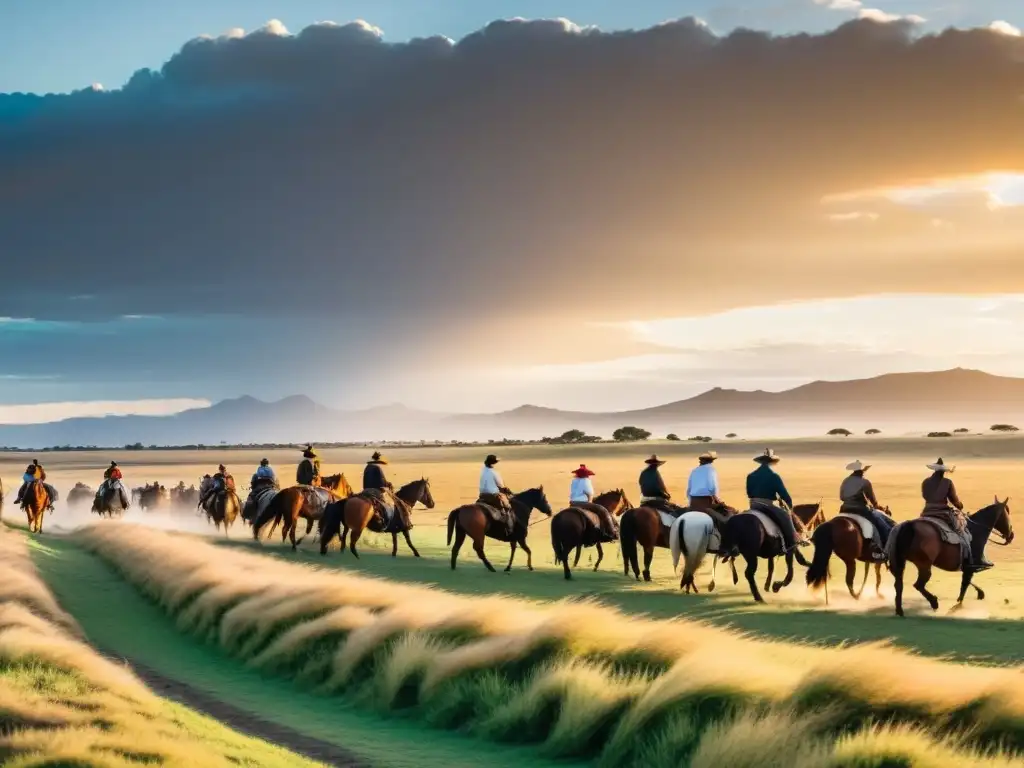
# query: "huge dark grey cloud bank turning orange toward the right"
{"type": "Point", "coordinates": [531, 170]}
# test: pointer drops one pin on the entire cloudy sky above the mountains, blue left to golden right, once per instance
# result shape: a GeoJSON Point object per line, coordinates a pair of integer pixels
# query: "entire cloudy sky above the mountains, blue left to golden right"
{"type": "Point", "coordinates": [437, 206]}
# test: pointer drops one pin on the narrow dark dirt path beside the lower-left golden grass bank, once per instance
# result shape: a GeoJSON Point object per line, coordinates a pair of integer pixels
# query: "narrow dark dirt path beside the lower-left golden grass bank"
{"type": "Point", "coordinates": [242, 721]}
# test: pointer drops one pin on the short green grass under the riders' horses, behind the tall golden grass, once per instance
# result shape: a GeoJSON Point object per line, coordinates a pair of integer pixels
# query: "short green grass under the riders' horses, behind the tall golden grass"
{"type": "Point", "coordinates": [990, 641]}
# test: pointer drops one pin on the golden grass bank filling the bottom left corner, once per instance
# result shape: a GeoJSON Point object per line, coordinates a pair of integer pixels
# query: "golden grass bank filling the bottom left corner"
{"type": "Point", "coordinates": [63, 704]}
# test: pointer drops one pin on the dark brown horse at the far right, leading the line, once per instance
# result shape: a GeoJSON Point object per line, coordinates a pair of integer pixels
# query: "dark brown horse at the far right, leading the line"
{"type": "Point", "coordinates": [919, 542]}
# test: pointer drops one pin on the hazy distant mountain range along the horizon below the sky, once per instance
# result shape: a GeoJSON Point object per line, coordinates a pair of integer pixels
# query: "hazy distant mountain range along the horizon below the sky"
{"type": "Point", "coordinates": [894, 403]}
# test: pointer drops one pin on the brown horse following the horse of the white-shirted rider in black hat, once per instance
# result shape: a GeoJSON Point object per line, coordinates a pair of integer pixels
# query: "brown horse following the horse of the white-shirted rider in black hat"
{"type": "Point", "coordinates": [357, 514]}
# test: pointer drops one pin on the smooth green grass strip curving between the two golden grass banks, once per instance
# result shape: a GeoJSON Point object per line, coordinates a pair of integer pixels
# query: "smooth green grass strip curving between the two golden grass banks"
{"type": "Point", "coordinates": [119, 620]}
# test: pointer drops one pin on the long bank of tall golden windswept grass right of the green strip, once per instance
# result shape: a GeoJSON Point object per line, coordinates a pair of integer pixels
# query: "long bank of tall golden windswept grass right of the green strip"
{"type": "Point", "coordinates": [576, 678]}
